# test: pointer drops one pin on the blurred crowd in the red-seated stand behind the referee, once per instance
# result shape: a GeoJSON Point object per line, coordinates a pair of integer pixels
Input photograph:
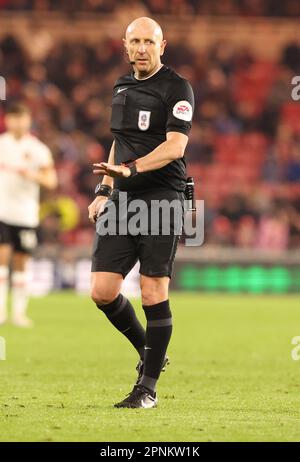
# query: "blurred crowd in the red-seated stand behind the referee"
{"type": "Point", "coordinates": [244, 149]}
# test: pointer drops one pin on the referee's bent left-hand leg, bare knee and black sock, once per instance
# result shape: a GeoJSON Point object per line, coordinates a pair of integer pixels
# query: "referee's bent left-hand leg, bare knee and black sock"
{"type": "Point", "coordinates": [105, 292]}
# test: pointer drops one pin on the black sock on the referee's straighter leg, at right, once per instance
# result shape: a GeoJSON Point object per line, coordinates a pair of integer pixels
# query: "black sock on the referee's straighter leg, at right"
{"type": "Point", "coordinates": [158, 334]}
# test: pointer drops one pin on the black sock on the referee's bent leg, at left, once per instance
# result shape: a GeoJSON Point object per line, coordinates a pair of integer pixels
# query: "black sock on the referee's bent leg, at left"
{"type": "Point", "coordinates": [121, 314]}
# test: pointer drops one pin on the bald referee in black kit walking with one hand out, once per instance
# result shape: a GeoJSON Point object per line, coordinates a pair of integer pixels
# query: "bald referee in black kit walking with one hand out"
{"type": "Point", "coordinates": [151, 117]}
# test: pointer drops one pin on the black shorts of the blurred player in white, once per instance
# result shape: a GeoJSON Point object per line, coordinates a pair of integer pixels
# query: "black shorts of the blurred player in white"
{"type": "Point", "coordinates": [21, 238]}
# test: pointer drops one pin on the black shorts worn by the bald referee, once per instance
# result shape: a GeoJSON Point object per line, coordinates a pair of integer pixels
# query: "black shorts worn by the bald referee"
{"type": "Point", "coordinates": [155, 247]}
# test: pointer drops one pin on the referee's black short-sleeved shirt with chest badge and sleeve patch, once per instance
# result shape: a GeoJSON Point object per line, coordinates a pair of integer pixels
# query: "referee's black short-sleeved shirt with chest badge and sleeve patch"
{"type": "Point", "coordinates": [143, 112]}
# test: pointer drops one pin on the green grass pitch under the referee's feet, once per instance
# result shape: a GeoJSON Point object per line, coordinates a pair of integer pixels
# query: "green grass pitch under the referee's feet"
{"type": "Point", "coordinates": [231, 378]}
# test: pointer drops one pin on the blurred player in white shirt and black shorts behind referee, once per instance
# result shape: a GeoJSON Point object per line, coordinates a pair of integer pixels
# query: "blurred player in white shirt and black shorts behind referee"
{"type": "Point", "coordinates": [25, 165]}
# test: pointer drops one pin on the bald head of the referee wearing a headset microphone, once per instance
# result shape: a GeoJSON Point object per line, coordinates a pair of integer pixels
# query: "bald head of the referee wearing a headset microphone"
{"type": "Point", "coordinates": [144, 45]}
